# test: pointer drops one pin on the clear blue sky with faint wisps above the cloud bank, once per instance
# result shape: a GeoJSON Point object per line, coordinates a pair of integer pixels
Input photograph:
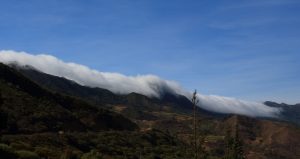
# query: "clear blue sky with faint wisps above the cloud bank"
{"type": "Point", "coordinates": [243, 49]}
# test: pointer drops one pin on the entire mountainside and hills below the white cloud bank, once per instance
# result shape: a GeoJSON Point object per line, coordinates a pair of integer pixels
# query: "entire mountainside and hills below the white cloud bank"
{"type": "Point", "coordinates": [53, 117]}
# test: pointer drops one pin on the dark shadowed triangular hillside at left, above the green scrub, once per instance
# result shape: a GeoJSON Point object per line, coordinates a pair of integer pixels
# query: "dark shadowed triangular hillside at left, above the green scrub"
{"type": "Point", "coordinates": [28, 108]}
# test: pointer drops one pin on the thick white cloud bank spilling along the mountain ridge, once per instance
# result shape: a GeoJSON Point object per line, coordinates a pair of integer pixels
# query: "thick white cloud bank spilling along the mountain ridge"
{"type": "Point", "coordinates": [149, 85]}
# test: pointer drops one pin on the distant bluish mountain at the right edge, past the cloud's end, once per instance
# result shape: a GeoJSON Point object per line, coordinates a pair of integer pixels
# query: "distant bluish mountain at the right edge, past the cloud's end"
{"type": "Point", "coordinates": [290, 113]}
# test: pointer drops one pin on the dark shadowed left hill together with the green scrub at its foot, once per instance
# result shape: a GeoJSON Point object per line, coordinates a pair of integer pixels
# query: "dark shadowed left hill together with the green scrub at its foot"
{"type": "Point", "coordinates": [38, 123]}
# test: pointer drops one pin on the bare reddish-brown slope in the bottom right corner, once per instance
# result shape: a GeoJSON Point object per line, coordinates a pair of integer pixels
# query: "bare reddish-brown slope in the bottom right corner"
{"type": "Point", "coordinates": [266, 139]}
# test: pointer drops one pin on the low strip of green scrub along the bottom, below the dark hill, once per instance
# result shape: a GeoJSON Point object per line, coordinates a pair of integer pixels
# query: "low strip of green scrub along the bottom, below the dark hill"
{"type": "Point", "coordinates": [116, 144]}
